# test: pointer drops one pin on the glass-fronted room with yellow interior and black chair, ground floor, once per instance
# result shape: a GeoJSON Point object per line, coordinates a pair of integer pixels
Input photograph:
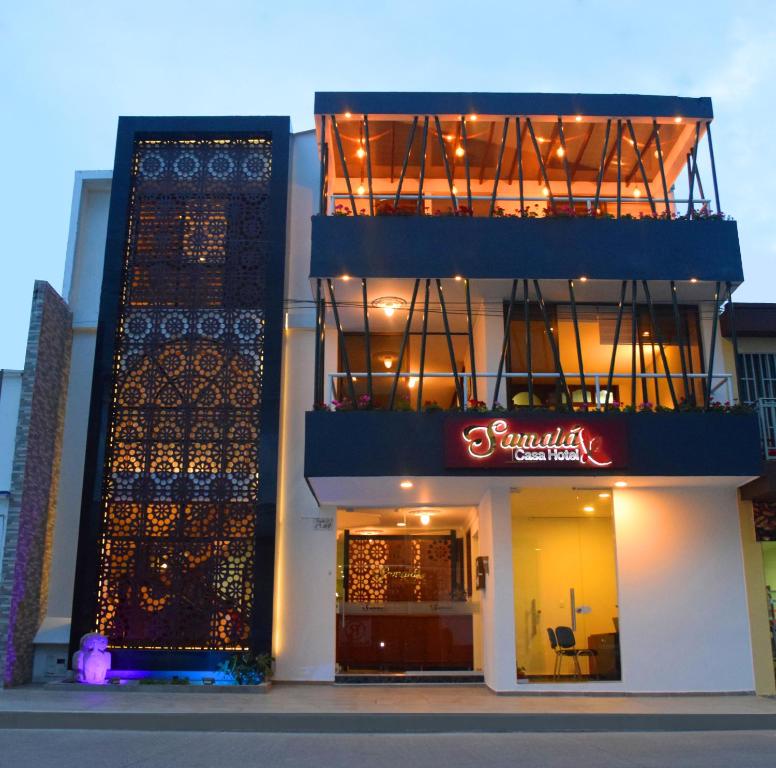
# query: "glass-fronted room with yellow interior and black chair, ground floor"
{"type": "Point", "coordinates": [565, 585]}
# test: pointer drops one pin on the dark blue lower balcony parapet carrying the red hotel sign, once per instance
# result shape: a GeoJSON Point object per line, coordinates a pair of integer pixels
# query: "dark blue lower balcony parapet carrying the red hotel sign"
{"type": "Point", "coordinates": [373, 443]}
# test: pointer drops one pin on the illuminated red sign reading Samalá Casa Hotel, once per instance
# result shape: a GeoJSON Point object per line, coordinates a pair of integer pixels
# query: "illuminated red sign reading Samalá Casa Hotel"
{"type": "Point", "coordinates": [538, 444]}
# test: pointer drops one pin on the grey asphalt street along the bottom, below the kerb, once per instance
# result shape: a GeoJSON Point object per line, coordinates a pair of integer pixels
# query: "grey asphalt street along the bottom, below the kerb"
{"type": "Point", "coordinates": [122, 749]}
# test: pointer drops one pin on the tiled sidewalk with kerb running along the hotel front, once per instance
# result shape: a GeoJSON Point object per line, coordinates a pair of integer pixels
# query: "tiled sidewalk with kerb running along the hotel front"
{"type": "Point", "coordinates": [302, 708]}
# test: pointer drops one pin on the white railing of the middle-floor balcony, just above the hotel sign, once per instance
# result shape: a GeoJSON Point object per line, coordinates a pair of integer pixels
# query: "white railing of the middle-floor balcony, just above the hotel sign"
{"type": "Point", "coordinates": [581, 398]}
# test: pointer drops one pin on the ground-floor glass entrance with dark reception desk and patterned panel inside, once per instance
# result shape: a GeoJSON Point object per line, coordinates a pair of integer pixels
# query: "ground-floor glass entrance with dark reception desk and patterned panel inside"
{"type": "Point", "coordinates": [405, 597]}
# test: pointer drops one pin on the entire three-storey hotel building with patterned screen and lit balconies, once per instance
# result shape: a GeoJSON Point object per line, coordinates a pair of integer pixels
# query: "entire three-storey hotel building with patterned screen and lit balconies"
{"type": "Point", "coordinates": [491, 291]}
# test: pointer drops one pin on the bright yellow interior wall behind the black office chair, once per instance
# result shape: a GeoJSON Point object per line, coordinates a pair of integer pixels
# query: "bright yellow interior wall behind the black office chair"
{"type": "Point", "coordinates": [551, 555]}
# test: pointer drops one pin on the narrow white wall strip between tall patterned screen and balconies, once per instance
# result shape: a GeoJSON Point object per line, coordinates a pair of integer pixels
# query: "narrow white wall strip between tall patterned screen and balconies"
{"type": "Point", "coordinates": [306, 557]}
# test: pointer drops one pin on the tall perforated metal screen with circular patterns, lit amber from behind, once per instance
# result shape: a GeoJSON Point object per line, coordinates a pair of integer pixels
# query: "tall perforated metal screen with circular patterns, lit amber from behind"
{"type": "Point", "coordinates": [181, 472]}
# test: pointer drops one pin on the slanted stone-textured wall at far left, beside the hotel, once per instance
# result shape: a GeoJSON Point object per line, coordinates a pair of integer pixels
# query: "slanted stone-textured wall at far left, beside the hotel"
{"type": "Point", "coordinates": [32, 507]}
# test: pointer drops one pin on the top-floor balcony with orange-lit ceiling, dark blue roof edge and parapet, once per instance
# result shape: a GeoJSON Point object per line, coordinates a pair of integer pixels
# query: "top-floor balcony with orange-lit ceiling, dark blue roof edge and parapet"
{"type": "Point", "coordinates": [485, 185]}
